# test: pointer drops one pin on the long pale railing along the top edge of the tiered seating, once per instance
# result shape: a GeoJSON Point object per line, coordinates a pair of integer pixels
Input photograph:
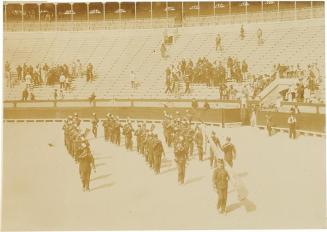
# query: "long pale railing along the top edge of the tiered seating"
{"type": "Point", "coordinates": [283, 15]}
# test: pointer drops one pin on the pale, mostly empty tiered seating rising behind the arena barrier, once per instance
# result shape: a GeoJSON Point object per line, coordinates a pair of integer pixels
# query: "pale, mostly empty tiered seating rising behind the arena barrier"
{"type": "Point", "coordinates": [115, 53]}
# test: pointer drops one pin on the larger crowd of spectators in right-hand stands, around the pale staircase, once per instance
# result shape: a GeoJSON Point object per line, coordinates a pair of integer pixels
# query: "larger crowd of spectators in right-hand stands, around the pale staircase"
{"type": "Point", "coordinates": [224, 74]}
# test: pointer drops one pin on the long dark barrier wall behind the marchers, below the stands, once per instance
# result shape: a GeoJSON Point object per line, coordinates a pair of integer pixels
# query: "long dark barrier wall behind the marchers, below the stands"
{"type": "Point", "coordinates": [151, 113]}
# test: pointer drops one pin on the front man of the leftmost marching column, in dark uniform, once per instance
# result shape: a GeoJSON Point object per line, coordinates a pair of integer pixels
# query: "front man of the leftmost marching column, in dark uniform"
{"type": "Point", "coordinates": [86, 163]}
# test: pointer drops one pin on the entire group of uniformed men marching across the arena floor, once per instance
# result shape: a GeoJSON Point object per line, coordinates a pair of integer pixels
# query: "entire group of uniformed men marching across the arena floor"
{"type": "Point", "coordinates": [179, 134]}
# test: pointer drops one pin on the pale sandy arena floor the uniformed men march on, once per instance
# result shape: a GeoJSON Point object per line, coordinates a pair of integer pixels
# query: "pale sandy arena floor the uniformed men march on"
{"type": "Point", "coordinates": [42, 189]}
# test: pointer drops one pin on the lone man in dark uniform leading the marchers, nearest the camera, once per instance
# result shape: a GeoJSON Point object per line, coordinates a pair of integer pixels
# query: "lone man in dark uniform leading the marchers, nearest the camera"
{"type": "Point", "coordinates": [220, 183]}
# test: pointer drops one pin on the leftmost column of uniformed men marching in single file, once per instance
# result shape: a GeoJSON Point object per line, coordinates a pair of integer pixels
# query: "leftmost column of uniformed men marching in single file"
{"type": "Point", "coordinates": [79, 148]}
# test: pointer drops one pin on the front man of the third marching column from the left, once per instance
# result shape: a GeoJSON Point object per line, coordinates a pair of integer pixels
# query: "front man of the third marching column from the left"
{"type": "Point", "coordinates": [180, 158]}
